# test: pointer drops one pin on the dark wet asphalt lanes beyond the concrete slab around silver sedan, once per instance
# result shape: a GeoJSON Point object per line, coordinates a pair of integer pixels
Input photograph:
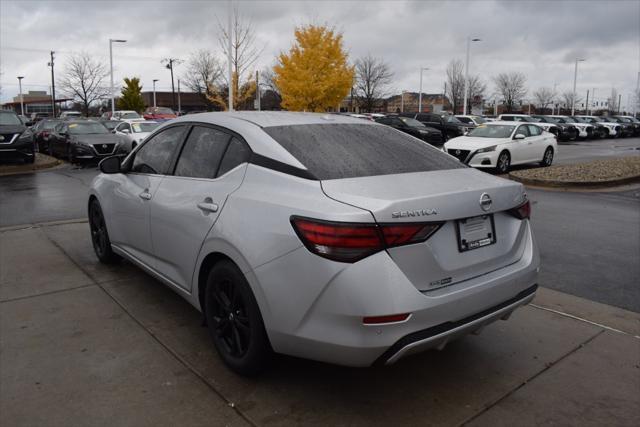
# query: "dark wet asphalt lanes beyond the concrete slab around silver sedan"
{"type": "Point", "coordinates": [589, 241]}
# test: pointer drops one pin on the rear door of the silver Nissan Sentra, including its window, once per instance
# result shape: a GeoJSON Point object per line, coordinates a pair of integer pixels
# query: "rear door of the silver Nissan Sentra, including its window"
{"type": "Point", "coordinates": [211, 165]}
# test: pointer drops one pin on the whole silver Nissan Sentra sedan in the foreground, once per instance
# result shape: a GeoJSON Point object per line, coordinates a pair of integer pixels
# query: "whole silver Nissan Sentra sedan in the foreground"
{"type": "Point", "coordinates": [319, 236]}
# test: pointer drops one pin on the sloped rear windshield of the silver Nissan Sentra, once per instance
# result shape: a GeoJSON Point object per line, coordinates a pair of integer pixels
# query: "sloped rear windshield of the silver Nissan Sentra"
{"type": "Point", "coordinates": [335, 151]}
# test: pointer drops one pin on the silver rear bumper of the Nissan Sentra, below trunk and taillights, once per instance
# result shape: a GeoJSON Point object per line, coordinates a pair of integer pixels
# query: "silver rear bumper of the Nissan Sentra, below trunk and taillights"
{"type": "Point", "coordinates": [328, 326]}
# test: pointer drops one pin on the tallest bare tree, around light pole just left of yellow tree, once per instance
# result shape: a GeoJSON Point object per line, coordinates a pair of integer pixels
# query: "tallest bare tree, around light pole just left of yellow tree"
{"type": "Point", "coordinates": [244, 53]}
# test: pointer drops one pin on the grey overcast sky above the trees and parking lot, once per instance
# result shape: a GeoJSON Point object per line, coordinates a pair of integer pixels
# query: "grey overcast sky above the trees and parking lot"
{"type": "Point", "coordinates": [538, 38]}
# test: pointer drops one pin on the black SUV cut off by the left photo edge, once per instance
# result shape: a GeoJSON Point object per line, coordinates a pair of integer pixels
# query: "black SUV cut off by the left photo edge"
{"type": "Point", "coordinates": [16, 140]}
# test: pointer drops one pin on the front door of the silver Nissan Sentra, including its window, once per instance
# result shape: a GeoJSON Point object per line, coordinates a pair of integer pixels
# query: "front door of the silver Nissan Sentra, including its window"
{"type": "Point", "coordinates": [129, 214]}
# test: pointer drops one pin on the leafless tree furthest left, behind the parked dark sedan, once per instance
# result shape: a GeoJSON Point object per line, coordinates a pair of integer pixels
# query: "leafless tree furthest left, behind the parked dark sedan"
{"type": "Point", "coordinates": [83, 79]}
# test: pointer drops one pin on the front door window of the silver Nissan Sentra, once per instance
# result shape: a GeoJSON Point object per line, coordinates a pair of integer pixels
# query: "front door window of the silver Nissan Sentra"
{"type": "Point", "coordinates": [154, 157]}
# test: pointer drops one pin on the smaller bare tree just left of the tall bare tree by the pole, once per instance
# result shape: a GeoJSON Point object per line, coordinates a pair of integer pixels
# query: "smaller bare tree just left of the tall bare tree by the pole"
{"type": "Point", "coordinates": [202, 74]}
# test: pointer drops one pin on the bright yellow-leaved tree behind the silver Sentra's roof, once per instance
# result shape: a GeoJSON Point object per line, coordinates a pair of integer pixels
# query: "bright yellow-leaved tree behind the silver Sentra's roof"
{"type": "Point", "coordinates": [314, 75]}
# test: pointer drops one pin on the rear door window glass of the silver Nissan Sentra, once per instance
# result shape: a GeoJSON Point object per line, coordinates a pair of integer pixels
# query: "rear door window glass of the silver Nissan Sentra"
{"type": "Point", "coordinates": [202, 153]}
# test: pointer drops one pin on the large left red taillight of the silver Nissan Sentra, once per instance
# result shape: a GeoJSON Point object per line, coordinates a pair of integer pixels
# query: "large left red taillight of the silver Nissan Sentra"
{"type": "Point", "coordinates": [350, 242]}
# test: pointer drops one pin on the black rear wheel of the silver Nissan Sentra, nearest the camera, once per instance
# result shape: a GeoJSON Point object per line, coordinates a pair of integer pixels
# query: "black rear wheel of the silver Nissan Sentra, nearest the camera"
{"type": "Point", "coordinates": [234, 320]}
